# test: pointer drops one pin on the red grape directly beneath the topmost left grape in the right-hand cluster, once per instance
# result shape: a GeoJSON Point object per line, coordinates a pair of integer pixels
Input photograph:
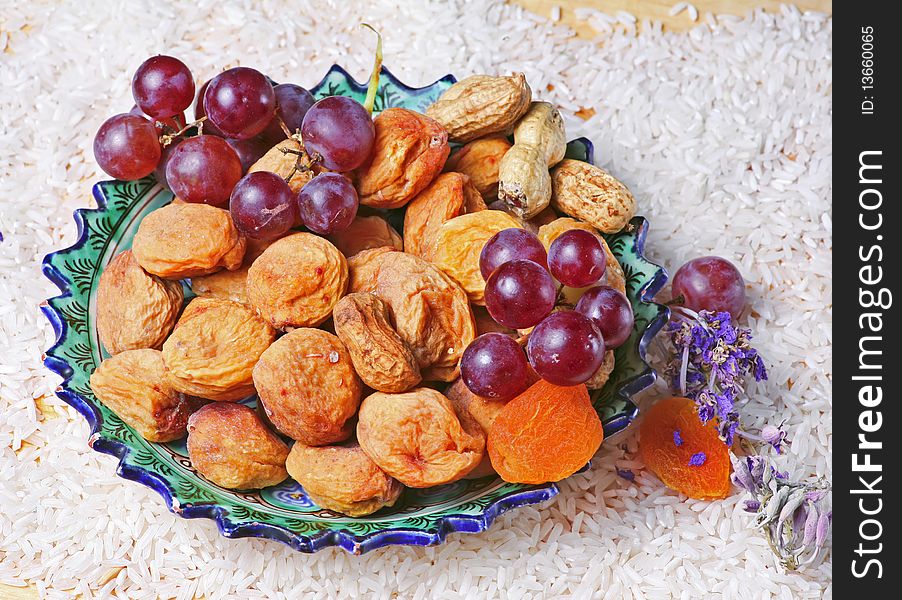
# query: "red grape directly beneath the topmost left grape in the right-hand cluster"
{"type": "Point", "coordinates": [519, 294]}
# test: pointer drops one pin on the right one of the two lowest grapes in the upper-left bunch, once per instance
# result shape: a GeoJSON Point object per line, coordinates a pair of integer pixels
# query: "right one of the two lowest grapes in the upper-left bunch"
{"type": "Point", "coordinates": [328, 203]}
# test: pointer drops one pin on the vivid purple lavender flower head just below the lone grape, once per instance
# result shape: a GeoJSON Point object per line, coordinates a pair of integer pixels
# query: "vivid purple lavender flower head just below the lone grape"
{"type": "Point", "coordinates": [711, 360]}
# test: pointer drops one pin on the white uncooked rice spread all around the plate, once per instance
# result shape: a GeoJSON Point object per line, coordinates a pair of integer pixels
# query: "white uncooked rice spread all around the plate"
{"type": "Point", "coordinates": [723, 134]}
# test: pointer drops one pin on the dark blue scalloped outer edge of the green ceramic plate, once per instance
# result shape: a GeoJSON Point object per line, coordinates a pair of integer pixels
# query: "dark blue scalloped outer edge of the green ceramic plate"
{"type": "Point", "coordinates": [353, 543]}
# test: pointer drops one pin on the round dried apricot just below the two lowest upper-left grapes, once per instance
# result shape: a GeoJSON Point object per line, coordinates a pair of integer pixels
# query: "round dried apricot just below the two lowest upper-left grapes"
{"type": "Point", "coordinates": [297, 281]}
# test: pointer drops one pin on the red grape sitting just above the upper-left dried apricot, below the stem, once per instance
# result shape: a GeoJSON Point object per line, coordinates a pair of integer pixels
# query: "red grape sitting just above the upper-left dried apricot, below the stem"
{"type": "Point", "coordinates": [203, 169]}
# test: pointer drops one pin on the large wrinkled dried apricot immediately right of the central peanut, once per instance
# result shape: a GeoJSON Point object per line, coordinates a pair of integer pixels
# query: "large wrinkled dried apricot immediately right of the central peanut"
{"type": "Point", "coordinates": [432, 314]}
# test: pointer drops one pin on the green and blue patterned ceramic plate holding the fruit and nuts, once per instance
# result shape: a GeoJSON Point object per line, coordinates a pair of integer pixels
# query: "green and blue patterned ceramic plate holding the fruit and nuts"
{"type": "Point", "coordinates": [284, 512]}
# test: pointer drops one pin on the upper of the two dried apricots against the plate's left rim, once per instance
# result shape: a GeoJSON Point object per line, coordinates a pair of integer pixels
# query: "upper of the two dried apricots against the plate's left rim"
{"type": "Point", "coordinates": [135, 309]}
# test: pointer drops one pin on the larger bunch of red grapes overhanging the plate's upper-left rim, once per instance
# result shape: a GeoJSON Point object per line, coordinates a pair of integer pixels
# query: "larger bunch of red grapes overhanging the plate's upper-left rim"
{"type": "Point", "coordinates": [239, 115]}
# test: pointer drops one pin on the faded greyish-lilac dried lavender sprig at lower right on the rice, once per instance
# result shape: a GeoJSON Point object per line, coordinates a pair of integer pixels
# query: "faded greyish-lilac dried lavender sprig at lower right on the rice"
{"type": "Point", "coordinates": [792, 515]}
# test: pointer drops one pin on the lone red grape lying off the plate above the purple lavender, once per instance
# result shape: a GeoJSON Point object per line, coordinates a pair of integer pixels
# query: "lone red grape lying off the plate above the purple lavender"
{"type": "Point", "coordinates": [710, 283]}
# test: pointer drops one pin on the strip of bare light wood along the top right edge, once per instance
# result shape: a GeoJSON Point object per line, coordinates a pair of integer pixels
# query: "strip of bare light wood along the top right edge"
{"type": "Point", "coordinates": [659, 10]}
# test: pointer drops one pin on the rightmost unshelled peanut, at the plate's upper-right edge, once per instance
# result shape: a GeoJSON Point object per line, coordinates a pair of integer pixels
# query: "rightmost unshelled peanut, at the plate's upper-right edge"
{"type": "Point", "coordinates": [592, 194]}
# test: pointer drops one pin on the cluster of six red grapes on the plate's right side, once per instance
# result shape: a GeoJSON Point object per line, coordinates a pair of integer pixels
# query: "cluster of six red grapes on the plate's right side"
{"type": "Point", "coordinates": [565, 347]}
